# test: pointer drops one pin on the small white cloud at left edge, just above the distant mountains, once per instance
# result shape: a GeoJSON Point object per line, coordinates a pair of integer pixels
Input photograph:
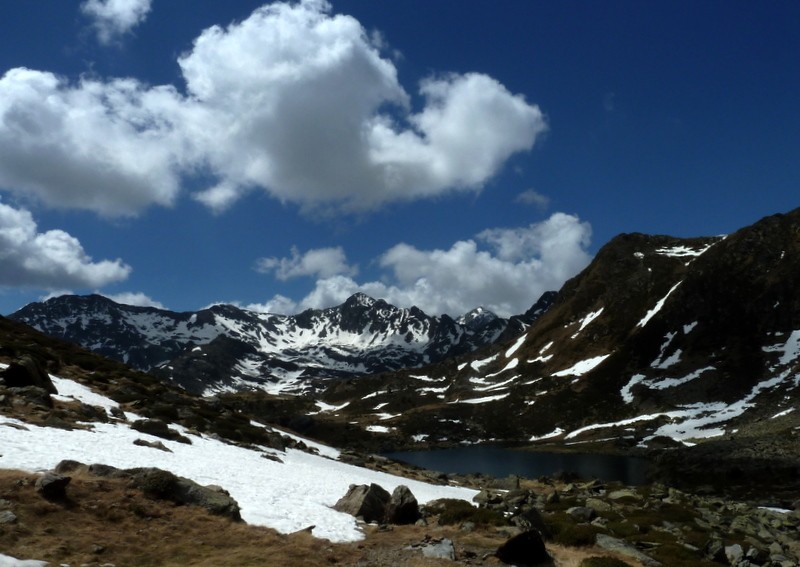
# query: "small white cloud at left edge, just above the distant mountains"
{"type": "Point", "coordinates": [48, 260]}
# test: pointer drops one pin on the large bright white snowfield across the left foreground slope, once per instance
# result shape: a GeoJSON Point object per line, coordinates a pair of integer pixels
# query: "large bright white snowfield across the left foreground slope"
{"type": "Point", "coordinates": [286, 496]}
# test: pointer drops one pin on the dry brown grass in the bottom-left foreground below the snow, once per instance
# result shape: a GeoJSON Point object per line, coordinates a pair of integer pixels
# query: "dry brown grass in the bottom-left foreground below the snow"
{"type": "Point", "coordinates": [103, 520]}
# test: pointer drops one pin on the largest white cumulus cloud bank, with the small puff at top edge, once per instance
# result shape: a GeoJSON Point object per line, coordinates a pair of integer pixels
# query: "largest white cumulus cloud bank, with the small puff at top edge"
{"type": "Point", "coordinates": [295, 100]}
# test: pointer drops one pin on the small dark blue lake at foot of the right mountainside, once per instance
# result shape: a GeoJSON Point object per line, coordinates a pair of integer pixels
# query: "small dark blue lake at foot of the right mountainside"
{"type": "Point", "coordinates": [501, 462]}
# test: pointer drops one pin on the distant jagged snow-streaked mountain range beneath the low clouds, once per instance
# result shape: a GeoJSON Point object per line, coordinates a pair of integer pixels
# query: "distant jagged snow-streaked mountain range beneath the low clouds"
{"type": "Point", "coordinates": [224, 348]}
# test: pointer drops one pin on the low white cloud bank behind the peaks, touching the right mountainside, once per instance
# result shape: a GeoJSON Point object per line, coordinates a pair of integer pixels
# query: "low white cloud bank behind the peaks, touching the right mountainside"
{"type": "Point", "coordinates": [505, 270]}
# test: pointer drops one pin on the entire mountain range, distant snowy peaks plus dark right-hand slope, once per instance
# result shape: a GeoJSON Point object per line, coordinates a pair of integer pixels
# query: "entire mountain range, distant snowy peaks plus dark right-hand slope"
{"type": "Point", "coordinates": [660, 340]}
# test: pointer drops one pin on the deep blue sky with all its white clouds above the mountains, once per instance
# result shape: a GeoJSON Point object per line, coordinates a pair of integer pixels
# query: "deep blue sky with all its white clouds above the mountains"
{"type": "Point", "coordinates": [445, 154]}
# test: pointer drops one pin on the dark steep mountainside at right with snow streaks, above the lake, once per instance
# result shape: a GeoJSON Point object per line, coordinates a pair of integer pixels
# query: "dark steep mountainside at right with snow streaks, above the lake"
{"type": "Point", "coordinates": [658, 338]}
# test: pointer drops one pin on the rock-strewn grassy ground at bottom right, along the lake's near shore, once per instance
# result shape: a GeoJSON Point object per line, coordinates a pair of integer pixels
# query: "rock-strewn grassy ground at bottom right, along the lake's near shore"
{"type": "Point", "coordinates": [652, 524]}
